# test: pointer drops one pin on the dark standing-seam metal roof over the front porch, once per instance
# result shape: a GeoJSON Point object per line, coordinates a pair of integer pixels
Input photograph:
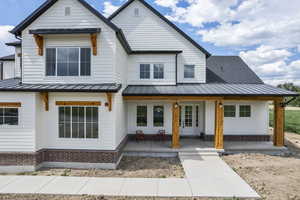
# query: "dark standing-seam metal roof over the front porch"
{"type": "Point", "coordinates": [207, 90]}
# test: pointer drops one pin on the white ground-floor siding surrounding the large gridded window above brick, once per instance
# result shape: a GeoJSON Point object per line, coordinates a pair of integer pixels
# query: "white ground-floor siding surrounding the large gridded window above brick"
{"type": "Point", "coordinates": [106, 140]}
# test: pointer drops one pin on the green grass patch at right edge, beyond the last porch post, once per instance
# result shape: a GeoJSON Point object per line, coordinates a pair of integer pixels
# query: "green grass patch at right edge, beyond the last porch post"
{"type": "Point", "coordinates": [292, 120]}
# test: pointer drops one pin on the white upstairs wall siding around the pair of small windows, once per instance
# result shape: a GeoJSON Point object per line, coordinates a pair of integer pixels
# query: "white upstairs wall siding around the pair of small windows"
{"type": "Point", "coordinates": [134, 69]}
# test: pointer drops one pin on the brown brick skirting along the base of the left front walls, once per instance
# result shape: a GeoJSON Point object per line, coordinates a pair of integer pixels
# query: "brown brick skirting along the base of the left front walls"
{"type": "Point", "coordinates": [62, 155]}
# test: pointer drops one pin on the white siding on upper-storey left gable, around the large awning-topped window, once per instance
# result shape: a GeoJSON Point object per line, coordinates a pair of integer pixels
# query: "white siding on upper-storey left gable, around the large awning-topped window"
{"type": "Point", "coordinates": [102, 65]}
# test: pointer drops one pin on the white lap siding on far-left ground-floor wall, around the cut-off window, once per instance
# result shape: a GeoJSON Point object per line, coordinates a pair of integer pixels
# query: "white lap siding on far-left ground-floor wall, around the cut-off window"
{"type": "Point", "coordinates": [20, 138]}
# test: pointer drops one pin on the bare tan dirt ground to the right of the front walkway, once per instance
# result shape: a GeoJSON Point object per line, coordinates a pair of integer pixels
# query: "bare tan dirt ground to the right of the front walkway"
{"type": "Point", "coordinates": [273, 177]}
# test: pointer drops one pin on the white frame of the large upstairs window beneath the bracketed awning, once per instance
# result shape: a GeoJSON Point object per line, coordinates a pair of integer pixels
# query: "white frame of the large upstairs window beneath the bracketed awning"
{"type": "Point", "coordinates": [79, 61]}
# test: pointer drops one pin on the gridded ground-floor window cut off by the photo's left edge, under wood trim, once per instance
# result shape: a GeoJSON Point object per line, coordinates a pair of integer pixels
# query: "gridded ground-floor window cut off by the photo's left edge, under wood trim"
{"type": "Point", "coordinates": [9, 116]}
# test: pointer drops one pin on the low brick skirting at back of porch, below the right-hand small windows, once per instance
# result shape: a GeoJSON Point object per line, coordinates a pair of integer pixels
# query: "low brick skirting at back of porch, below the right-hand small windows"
{"type": "Point", "coordinates": [245, 138]}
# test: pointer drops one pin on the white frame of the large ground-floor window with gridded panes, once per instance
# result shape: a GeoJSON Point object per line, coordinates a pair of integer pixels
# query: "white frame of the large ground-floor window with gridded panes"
{"type": "Point", "coordinates": [85, 138]}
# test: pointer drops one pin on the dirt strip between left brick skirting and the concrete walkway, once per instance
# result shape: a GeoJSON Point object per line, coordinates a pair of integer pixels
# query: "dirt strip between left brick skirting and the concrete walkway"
{"type": "Point", "coordinates": [137, 167]}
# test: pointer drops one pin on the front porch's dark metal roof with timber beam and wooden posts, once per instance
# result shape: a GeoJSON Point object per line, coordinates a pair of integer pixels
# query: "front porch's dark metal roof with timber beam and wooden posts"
{"type": "Point", "coordinates": [217, 95]}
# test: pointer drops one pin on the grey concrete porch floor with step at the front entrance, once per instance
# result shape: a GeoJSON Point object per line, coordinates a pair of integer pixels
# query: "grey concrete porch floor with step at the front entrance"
{"type": "Point", "coordinates": [195, 145]}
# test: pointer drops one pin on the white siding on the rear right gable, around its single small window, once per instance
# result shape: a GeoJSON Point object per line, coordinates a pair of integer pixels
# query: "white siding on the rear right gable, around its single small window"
{"type": "Point", "coordinates": [149, 32]}
